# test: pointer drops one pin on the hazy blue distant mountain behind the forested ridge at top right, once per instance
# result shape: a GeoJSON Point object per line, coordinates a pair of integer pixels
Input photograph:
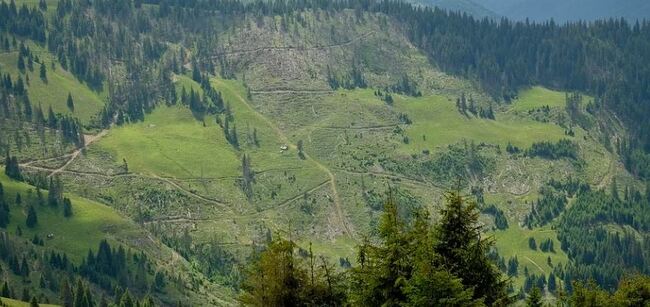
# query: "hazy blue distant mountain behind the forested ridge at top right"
{"type": "Point", "coordinates": [568, 10]}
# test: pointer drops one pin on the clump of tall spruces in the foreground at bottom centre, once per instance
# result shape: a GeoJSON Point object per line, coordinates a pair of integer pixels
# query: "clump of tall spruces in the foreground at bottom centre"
{"type": "Point", "coordinates": [413, 263]}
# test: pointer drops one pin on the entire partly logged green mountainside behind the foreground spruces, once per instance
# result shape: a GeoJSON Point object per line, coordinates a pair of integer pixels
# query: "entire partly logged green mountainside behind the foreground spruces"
{"type": "Point", "coordinates": [211, 128]}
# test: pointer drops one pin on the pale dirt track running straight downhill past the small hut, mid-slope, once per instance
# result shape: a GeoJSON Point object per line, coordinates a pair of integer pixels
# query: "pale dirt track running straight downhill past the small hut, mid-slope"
{"type": "Point", "coordinates": [285, 139]}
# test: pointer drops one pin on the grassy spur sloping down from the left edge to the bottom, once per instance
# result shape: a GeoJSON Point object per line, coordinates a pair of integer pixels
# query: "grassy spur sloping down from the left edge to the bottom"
{"type": "Point", "coordinates": [91, 223]}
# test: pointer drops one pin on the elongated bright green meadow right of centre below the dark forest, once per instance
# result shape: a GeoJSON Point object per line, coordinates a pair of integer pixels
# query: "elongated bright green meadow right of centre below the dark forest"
{"type": "Point", "coordinates": [436, 118]}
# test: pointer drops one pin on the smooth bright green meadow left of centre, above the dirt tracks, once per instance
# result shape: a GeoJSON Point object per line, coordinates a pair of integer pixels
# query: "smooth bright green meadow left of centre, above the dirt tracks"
{"type": "Point", "coordinates": [171, 142]}
